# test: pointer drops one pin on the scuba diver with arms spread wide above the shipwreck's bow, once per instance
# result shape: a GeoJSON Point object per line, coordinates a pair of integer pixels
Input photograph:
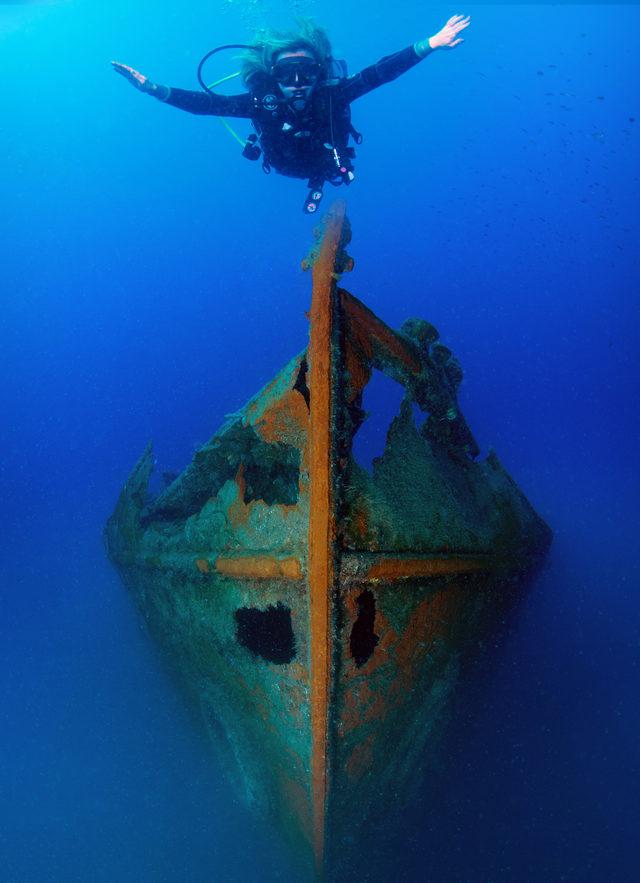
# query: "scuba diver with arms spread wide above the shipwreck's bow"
{"type": "Point", "coordinates": [299, 99]}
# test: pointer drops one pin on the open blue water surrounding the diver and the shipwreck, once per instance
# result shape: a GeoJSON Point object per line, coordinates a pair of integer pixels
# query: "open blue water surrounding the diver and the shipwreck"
{"type": "Point", "coordinates": [150, 284]}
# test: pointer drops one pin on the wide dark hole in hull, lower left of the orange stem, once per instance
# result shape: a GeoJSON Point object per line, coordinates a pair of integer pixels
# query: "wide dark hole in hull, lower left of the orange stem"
{"type": "Point", "coordinates": [267, 633]}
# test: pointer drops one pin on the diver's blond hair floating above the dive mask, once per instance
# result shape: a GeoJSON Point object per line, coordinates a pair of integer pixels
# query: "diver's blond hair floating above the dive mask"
{"type": "Point", "coordinates": [268, 44]}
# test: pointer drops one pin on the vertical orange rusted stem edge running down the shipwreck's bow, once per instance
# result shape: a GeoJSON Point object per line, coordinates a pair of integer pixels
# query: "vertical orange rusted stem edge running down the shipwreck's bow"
{"type": "Point", "coordinates": [321, 516]}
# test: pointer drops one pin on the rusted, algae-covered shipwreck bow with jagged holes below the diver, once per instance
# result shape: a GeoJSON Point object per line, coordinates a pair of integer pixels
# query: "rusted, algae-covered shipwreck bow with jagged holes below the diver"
{"type": "Point", "coordinates": [317, 613]}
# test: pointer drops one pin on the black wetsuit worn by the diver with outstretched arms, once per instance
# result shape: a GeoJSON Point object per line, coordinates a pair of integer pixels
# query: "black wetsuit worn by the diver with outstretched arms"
{"type": "Point", "coordinates": [312, 143]}
